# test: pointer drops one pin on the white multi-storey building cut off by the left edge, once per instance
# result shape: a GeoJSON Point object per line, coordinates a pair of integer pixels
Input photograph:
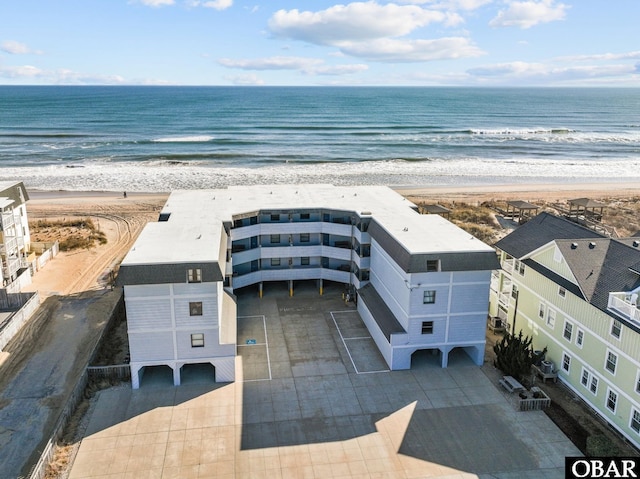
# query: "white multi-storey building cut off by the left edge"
{"type": "Point", "coordinates": [14, 231]}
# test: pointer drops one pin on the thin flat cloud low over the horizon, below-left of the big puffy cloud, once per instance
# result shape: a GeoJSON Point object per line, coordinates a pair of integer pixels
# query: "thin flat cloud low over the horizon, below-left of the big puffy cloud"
{"type": "Point", "coordinates": [309, 66]}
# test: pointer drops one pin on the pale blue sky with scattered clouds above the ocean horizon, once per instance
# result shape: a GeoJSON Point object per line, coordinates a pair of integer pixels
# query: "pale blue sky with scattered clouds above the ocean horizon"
{"type": "Point", "coordinates": [317, 42]}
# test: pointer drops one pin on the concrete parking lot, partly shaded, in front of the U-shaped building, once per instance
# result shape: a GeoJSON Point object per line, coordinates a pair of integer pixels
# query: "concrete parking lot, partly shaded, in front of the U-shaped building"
{"type": "Point", "coordinates": [313, 398]}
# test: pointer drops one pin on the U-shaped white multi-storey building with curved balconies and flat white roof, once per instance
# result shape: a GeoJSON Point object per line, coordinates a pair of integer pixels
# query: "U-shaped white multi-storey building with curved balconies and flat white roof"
{"type": "Point", "coordinates": [420, 281]}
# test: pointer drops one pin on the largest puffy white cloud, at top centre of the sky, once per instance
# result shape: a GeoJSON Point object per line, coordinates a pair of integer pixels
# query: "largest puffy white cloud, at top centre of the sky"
{"type": "Point", "coordinates": [358, 21]}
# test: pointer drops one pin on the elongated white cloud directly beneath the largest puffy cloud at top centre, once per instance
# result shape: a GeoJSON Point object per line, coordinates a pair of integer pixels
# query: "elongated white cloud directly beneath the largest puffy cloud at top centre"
{"type": "Point", "coordinates": [399, 51]}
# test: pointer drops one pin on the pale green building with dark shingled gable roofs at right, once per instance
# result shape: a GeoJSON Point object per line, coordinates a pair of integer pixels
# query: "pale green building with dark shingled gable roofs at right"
{"type": "Point", "coordinates": [576, 293]}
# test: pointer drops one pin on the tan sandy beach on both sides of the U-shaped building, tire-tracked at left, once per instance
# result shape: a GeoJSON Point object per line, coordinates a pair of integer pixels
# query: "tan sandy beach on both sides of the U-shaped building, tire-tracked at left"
{"type": "Point", "coordinates": [122, 219]}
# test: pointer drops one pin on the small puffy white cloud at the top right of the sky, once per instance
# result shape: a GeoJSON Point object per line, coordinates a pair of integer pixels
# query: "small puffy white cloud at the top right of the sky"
{"type": "Point", "coordinates": [529, 13]}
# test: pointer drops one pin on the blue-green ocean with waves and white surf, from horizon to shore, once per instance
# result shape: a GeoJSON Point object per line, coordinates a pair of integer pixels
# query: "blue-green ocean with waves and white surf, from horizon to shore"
{"type": "Point", "coordinates": [152, 139]}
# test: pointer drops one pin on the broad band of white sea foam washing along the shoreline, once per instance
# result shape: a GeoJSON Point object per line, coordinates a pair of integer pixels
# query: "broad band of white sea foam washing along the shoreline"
{"type": "Point", "coordinates": [98, 176]}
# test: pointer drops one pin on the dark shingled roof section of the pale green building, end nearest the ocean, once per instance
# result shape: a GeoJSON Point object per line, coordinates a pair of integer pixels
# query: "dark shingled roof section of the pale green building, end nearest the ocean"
{"type": "Point", "coordinates": [541, 230]}
